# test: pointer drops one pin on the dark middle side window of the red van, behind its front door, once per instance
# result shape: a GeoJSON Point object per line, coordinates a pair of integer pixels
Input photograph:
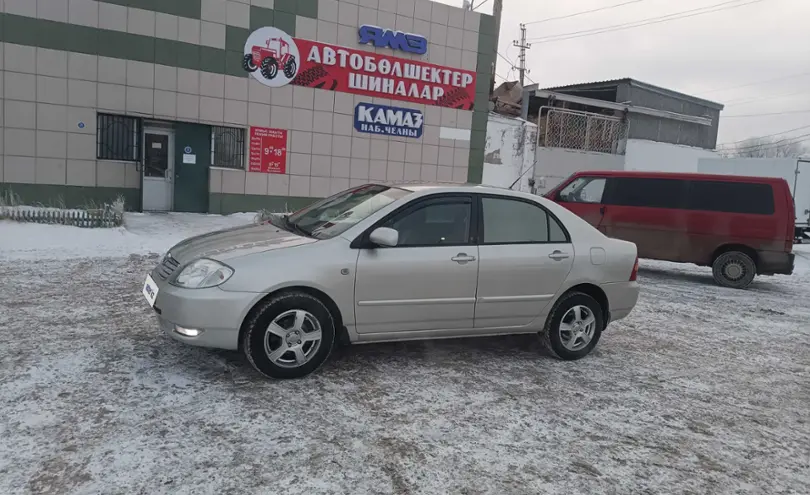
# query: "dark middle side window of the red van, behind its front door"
{"type": "Point", "coordinates": [651, 193]}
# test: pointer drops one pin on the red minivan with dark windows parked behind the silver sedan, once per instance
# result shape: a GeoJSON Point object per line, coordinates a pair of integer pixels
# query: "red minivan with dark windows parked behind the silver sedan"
{"type": "Point", "coordinates": [740, 226]}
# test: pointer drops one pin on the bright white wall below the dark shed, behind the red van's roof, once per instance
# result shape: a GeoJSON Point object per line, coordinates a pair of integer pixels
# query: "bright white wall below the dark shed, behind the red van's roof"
{"type": "Point", "coordinates": [652, 156]}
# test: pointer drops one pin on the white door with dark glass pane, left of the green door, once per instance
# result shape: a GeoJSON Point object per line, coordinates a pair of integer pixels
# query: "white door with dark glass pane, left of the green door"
{"type": "Point", "coordinates": [158, 170]}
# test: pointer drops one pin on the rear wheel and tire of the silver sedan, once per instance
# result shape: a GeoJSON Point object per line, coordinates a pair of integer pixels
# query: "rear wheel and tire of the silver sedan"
{"type": "Point", "coordinates": [574, 326]}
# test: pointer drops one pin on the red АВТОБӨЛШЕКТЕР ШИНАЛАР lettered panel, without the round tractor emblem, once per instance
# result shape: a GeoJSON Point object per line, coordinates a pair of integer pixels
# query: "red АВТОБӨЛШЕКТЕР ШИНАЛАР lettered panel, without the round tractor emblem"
{"type": "Point", "coordinates": [348, 70]}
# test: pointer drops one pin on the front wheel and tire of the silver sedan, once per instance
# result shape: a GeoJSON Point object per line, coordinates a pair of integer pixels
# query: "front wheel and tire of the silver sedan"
{"type": "Point", "coordinates": [289, 336]}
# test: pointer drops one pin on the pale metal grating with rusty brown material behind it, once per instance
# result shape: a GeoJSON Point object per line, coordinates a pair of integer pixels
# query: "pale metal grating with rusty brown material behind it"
{"type": "Point", "coordinates": [575, 130]}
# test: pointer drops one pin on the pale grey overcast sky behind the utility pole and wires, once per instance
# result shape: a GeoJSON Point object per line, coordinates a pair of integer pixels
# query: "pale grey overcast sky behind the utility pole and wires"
{"type": "Point", "coordinates": [698, 55]}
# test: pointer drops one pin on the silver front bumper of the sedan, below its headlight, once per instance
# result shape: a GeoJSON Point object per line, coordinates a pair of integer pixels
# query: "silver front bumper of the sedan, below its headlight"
{"type": "Point", "coordinates": [216, 313]}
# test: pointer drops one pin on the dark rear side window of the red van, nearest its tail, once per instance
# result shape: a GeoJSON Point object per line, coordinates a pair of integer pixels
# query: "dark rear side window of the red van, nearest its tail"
{"type": "Point", "coordinates": [731, 197]}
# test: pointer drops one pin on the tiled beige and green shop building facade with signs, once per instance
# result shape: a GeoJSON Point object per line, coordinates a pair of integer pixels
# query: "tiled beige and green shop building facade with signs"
{"type": "Point", "coordinates": [234, 105]}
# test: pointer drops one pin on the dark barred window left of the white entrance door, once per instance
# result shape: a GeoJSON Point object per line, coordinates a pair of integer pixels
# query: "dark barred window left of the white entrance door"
{"type": "Point", "coordinates": [118, 138]}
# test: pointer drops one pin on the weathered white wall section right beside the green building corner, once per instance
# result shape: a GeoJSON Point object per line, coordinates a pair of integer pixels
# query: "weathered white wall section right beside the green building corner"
{"type": "Point", "coordinates": [509, 152]}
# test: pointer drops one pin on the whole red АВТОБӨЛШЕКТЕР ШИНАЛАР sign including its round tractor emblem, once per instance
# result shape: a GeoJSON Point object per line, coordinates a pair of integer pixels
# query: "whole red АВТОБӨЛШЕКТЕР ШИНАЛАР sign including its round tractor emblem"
{"type": "Point", "coordinates": [276, 59]}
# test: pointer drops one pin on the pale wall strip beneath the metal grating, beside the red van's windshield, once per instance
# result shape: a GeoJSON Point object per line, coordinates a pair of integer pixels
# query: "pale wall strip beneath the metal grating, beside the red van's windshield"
{"type": "Point", "coordinates": [556, 164]}
